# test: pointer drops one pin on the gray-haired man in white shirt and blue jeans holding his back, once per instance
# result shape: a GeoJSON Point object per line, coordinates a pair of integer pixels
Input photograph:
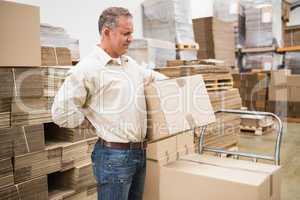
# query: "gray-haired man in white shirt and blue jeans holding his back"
{"type": "Point", "coordinates": [106, 91]}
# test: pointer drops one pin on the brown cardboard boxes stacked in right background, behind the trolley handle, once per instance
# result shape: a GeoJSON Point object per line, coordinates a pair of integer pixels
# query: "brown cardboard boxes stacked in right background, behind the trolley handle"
{"type": "Point", "coordinates": [274, 92]}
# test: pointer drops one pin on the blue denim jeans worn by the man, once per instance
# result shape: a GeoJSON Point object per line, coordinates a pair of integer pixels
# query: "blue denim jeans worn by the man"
{"type": "Point", "coordinates": [120, 174]}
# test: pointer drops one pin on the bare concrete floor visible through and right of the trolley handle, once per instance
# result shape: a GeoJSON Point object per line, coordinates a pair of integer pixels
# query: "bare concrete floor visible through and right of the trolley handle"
{"type": "Point", "coordinates": [290, 156]}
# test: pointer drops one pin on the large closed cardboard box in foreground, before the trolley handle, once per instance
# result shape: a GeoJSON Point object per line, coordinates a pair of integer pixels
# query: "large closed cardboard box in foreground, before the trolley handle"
{"type": "Point", "coordinates": [193, 180]}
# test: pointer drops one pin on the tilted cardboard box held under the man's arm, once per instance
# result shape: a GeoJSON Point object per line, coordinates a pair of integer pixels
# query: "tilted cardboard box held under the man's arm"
{"type": "Point", "coordinates": [177, 105]}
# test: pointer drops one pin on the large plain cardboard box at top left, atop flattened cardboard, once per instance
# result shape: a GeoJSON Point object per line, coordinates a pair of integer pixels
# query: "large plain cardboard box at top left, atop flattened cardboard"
{"type": "Point", "coordinates": [20, 35]}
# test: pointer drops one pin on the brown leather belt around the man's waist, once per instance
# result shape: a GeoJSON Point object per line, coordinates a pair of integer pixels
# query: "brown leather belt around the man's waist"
{"type": "Point", "coordinates": [118, 145]}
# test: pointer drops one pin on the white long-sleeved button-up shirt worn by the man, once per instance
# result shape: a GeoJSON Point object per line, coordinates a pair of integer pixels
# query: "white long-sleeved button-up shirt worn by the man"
{"type": "Point", "coordinates": [109, 93]}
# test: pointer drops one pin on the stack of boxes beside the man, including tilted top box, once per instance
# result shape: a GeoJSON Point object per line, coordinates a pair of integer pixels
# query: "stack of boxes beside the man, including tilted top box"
{"type": "Point", "coordinates": [175, 107]}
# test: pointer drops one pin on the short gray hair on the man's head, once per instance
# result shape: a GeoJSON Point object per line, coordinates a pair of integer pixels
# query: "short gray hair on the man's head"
{"type": "Point", "coordinates": [109, 17]}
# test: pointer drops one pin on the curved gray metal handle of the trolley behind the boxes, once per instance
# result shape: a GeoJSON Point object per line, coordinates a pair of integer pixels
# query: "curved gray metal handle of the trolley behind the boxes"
{"type": "Point", "coordinates": [275, 158]}
